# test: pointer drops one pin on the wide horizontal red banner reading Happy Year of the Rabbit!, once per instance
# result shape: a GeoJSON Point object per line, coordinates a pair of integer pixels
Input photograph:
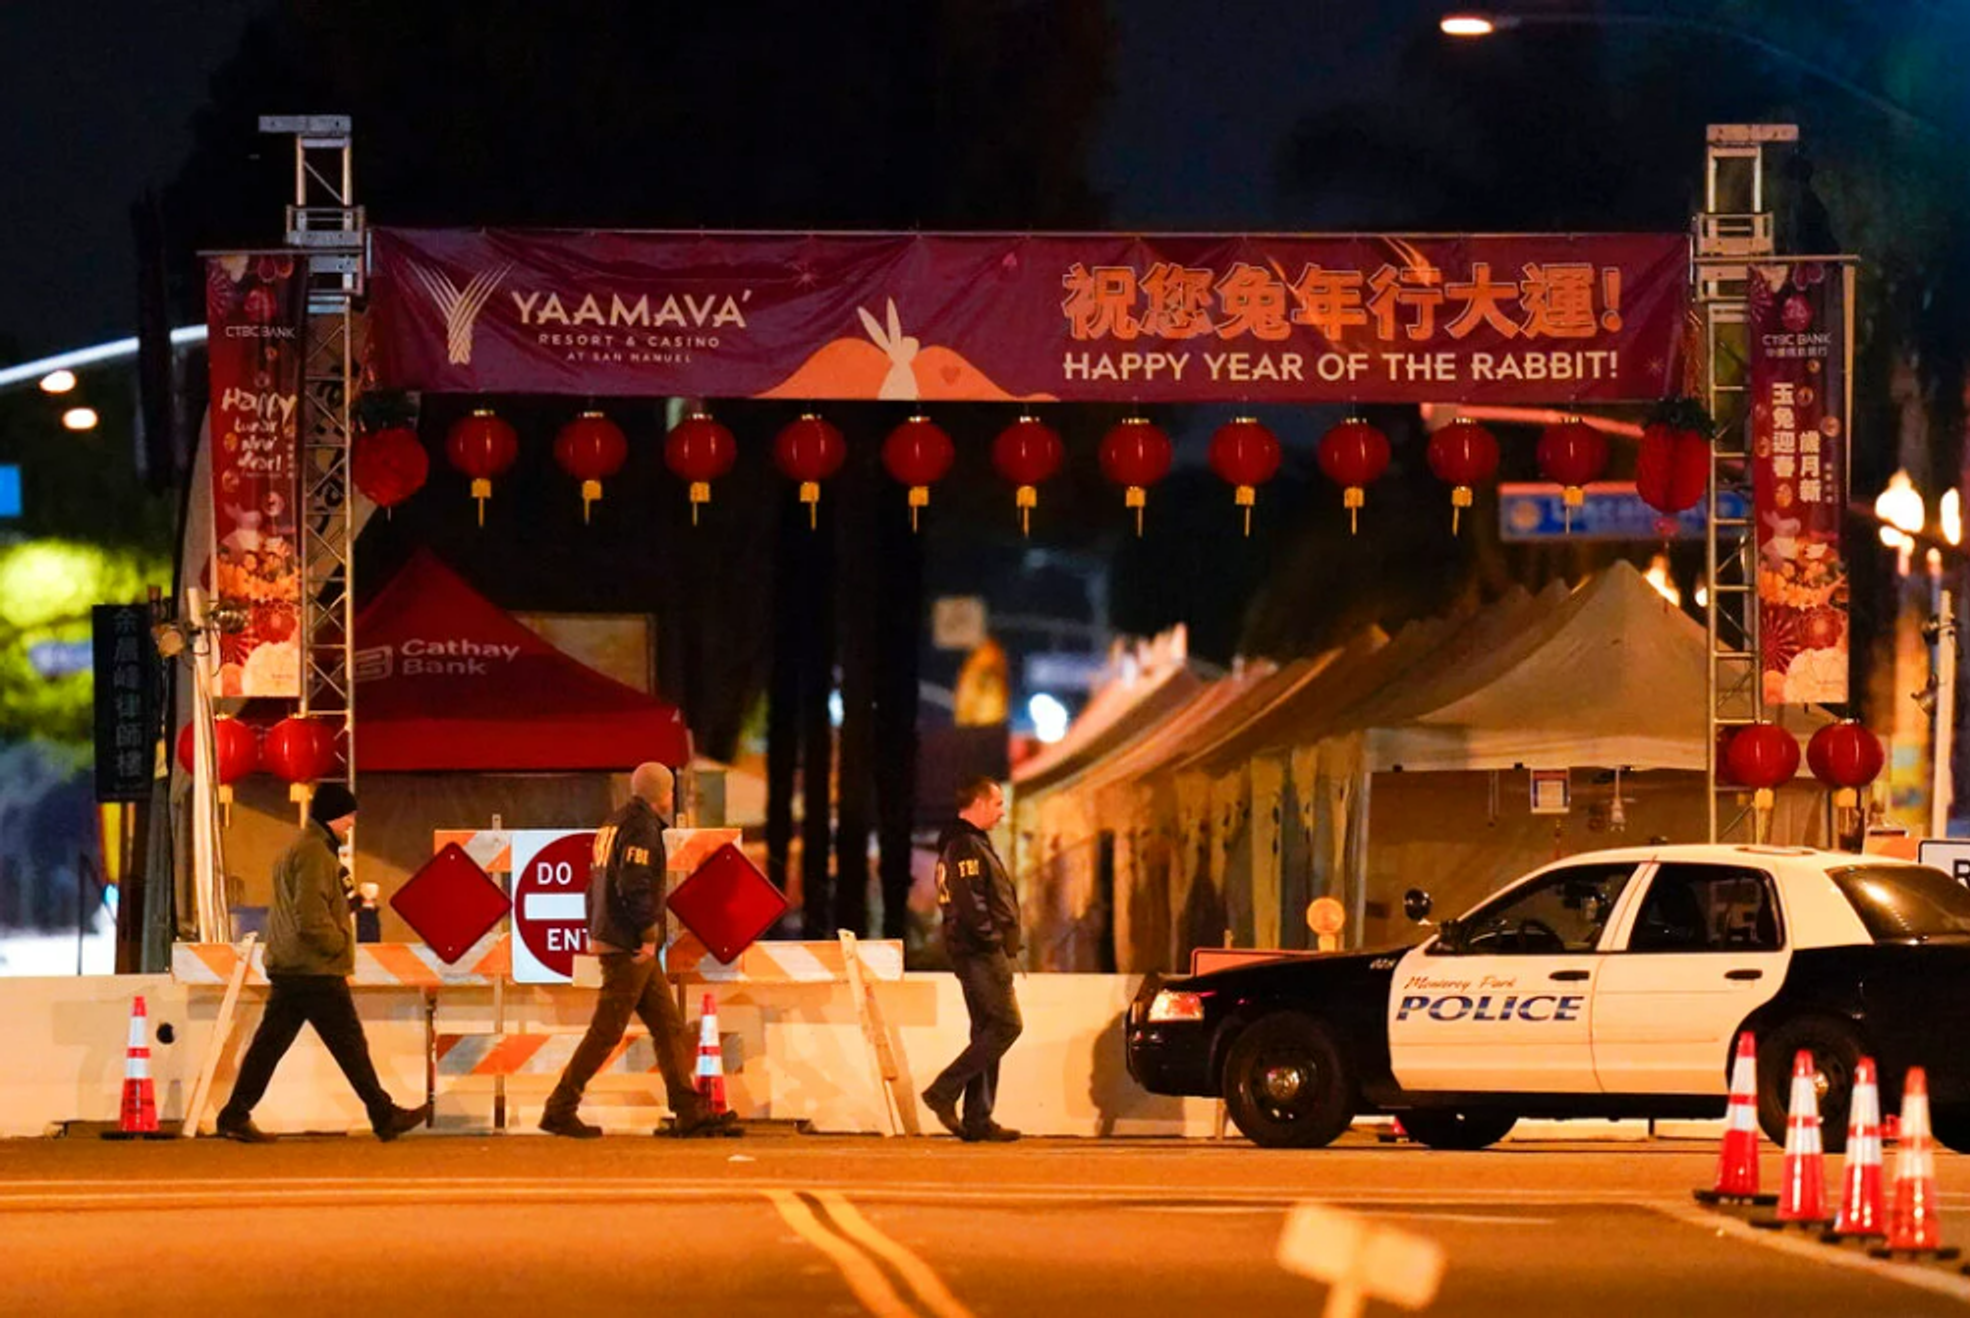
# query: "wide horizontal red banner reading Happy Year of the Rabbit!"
{"type": "Point", "coordinates": [1092, 318]}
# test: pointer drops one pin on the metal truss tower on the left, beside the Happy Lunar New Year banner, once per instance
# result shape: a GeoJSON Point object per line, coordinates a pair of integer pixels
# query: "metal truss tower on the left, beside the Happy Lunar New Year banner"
{"type": "Point", "coordinates": [326, 230]}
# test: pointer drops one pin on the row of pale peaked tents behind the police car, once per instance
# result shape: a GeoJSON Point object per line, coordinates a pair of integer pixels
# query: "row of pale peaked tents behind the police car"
{"type": "Point", "coordinates": [1238, 809]}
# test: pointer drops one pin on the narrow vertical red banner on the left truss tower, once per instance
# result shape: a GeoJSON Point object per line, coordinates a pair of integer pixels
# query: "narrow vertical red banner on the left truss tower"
{"type": "Point", "coordinates": [255, 312]}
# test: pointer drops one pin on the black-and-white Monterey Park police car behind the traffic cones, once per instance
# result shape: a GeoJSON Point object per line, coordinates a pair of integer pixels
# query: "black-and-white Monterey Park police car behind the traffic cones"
{"type": "Point", "coordinates": [1612, 984]}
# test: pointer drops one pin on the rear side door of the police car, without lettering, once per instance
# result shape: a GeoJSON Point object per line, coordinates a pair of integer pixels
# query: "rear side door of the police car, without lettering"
{"type": "Point", "coordinates": [1701, 951]}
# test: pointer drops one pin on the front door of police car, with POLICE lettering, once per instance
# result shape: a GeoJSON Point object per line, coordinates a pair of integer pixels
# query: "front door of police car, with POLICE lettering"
{"type": "Point", "coordinates": [1508, 1002]}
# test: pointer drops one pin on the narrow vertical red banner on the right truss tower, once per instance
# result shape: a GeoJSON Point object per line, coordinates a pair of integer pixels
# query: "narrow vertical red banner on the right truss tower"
{"type": "Point", "coordinates": [1800, 480]}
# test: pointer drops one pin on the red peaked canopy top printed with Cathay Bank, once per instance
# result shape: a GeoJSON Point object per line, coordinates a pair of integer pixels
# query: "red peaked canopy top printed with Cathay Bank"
{"type": "Point", "coordinates": [450, 683]}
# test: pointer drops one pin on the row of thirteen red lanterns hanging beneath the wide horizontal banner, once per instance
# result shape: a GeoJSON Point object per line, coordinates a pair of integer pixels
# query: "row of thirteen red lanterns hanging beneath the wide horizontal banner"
{"type": "Point", "coordinates": [1674, 470]}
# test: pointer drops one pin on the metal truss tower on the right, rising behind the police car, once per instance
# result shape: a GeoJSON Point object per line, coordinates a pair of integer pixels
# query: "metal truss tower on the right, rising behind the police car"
{"type": "Point", "coordinates": [1733, 230]}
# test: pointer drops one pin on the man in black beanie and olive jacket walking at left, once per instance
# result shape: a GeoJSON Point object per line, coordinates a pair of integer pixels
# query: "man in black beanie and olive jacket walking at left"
{"type": "Point", "coordinates": [310, 955]}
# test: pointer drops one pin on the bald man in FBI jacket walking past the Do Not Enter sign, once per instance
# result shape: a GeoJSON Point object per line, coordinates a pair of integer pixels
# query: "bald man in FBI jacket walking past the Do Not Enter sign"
{"type": "Point", "coordinates": [625, 931]}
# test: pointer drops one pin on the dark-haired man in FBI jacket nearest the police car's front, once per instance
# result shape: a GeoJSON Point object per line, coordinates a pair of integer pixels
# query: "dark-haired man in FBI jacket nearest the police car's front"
{"type": "Point", "coordinates": [982, 939]}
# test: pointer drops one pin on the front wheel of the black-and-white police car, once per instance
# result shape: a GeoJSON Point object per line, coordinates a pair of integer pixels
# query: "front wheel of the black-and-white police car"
{"type": "Point", "coordinates": [1287, 1083]}
